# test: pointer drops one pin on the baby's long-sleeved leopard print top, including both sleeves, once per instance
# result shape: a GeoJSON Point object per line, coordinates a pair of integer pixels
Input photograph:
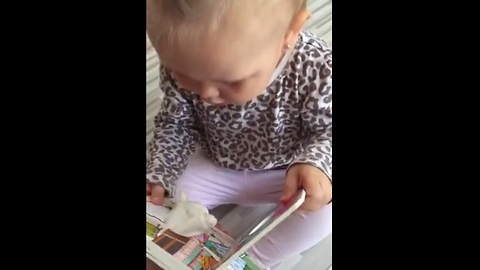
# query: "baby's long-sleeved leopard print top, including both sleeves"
{"type": "Point", "coordinates": [291, 122]}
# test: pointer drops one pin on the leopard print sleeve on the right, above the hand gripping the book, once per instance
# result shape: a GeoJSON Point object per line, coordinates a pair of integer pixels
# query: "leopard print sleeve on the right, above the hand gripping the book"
{"type": "Point", "coordinates": [316, 117]}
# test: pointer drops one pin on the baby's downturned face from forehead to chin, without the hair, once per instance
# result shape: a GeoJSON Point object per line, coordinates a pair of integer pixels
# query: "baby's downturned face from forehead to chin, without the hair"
{"type": "Point", "coordinates": [228, 67]}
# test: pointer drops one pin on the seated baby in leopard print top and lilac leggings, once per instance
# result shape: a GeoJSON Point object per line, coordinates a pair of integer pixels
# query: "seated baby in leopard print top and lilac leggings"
{"type": "Point", "coordinates": [247, 113]}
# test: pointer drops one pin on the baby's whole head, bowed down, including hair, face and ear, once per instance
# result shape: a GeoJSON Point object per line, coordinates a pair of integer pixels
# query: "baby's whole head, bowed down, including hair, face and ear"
{"type": "Point", "coordinates": [224, 50]}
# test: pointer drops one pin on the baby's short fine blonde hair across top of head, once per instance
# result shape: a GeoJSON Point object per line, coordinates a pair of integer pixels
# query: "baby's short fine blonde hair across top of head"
{"type": "Point", "coordinates": [173, 21]}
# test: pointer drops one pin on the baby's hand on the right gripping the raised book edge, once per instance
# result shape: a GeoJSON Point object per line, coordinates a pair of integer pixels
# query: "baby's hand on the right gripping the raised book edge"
{"type": "Point", "coordinates": [315, 183]}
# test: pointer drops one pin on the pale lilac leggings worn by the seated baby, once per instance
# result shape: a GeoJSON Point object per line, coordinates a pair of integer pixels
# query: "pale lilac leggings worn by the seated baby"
{"type": "Point", "coordinates": [211, 185]}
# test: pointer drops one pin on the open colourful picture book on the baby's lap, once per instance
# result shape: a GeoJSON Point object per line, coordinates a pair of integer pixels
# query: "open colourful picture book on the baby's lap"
{"type": "Point", "coordinates": [214, 250]}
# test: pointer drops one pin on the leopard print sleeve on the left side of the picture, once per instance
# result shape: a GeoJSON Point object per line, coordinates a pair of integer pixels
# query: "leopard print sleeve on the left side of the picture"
{"type": "Point", "coordinates": [174, 136]}
